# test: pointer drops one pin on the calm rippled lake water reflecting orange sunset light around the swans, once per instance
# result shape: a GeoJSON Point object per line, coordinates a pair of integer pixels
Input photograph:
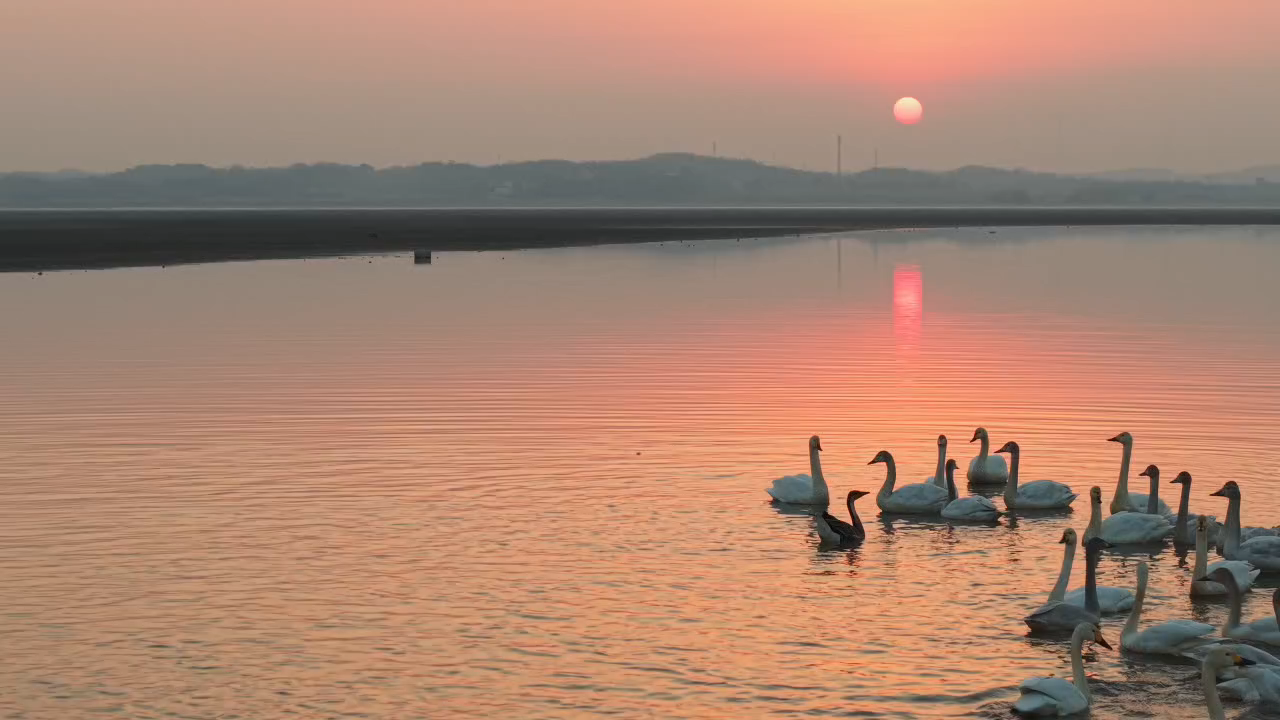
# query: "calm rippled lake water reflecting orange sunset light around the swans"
{"type": "Point", "coordinates": [532, 485]}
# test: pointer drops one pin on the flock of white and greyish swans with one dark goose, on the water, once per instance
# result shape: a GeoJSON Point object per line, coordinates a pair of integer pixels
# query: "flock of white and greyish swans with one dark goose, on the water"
{"type": "Point", "coordinates": [1229, 668]}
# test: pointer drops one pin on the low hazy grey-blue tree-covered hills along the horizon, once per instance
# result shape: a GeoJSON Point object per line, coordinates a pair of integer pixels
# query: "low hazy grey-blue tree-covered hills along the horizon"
{"type": "Point", "coordinates": [662, 180]}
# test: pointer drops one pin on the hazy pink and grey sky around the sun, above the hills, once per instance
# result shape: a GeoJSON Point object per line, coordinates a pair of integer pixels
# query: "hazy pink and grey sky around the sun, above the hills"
{"type": "Point", "coordinates": [1060, 85]}
